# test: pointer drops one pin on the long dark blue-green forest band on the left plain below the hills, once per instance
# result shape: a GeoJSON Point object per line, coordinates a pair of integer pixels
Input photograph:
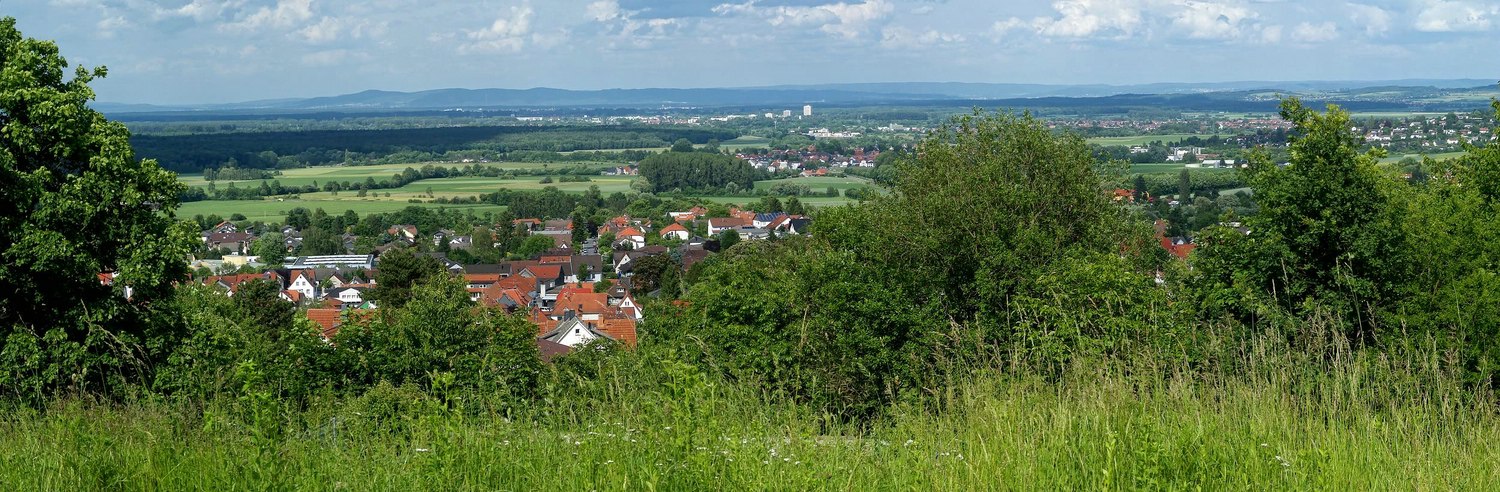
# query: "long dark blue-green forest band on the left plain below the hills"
{"type": "Point", "coordinates": [268, 151]}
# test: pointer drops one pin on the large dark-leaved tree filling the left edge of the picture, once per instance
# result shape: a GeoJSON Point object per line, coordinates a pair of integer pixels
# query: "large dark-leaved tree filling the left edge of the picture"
{"type": "Point", "coordinates": [77, 205]}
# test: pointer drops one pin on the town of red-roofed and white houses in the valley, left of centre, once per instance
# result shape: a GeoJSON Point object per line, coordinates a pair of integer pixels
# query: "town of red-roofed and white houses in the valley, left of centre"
{"type": "Point", "coordinates": [575, 293]}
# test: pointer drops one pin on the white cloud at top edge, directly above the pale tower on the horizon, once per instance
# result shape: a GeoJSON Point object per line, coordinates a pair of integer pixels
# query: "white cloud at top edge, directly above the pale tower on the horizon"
{"type": "Point", "coordinates": [845, 20]}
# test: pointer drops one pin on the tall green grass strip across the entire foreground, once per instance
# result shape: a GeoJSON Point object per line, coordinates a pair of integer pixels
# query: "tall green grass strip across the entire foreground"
{"type": "Point", "coordinates": [1274, 416]}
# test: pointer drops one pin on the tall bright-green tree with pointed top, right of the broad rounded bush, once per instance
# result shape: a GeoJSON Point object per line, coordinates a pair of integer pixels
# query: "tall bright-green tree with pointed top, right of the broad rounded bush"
{"type": "Point", "coordinates": [1328, 232]}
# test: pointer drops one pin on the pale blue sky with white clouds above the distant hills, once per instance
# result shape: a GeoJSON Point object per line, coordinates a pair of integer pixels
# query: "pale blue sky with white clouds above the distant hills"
{"type": "Point", "coordinates": [205, 52]}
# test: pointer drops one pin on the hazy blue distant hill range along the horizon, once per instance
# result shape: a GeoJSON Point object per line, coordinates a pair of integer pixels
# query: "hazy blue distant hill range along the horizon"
{"type": "Point", "coordinates": [1223, 97]}
